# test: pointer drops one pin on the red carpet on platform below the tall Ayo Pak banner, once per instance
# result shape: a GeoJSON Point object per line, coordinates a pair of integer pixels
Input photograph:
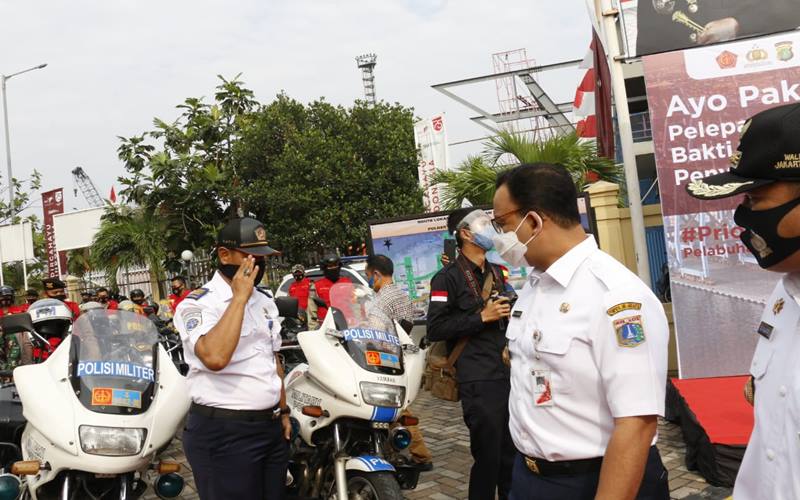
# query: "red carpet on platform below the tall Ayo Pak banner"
{"type": "Point", "coordinates": [720, 408]}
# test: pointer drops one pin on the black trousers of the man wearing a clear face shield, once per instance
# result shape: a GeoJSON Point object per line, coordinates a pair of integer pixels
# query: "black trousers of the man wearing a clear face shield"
{"type": "Point", "coordinates": [485, 406]}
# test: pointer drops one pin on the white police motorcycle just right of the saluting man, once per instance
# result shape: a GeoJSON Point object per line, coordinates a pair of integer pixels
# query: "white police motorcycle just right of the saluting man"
{"type": "Point", "coordinates": [362, 370]}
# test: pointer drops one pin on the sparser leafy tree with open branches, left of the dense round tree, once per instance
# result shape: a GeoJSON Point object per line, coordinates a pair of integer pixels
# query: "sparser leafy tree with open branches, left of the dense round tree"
{"type": "Point", "coordinates": [185, 172]}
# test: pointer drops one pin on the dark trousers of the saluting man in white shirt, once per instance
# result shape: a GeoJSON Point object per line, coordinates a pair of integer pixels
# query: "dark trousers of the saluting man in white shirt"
{"type": "Point", "coordinates": [236, 460]}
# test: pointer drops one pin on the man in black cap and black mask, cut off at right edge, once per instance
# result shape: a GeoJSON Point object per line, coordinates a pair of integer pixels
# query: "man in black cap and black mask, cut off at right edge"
{"type": "Point", "coordinates": [767, 170]}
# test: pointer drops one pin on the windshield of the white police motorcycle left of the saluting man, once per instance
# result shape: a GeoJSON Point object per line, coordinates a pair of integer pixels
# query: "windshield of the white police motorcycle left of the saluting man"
{"type": "Point", "coordinates": [113, 361]}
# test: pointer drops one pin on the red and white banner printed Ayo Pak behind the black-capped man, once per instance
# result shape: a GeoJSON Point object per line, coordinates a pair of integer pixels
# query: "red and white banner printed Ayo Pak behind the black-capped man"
{"type": "Point", "coordinates": [699, 100]}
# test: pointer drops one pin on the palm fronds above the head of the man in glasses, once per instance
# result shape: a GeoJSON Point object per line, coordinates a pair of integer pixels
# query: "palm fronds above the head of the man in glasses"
{"type": "Point", "coordinates": [474, 179]}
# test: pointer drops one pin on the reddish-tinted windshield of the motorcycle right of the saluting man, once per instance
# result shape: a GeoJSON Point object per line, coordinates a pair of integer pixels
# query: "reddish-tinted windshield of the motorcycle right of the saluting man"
{"type": "Point", "coordinates": [369, 334]}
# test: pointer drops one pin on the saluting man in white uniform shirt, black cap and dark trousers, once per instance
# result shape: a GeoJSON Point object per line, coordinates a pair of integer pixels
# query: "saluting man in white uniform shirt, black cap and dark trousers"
{"type": "Point", "coordinates": [236, 435]}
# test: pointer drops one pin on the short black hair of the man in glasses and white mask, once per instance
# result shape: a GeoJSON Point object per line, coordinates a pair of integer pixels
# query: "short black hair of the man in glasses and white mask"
{"type": "Point", "coordinates": [544, 188]}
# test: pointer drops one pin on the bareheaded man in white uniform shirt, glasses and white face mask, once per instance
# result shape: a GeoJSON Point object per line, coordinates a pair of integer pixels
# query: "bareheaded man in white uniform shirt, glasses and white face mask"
{"type": "Point", "coordinates": [588, 349]}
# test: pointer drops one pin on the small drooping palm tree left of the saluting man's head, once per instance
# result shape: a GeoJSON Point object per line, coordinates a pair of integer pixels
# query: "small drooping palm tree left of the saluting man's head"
{"type": "Point", "coordinates": [130, 237]}
